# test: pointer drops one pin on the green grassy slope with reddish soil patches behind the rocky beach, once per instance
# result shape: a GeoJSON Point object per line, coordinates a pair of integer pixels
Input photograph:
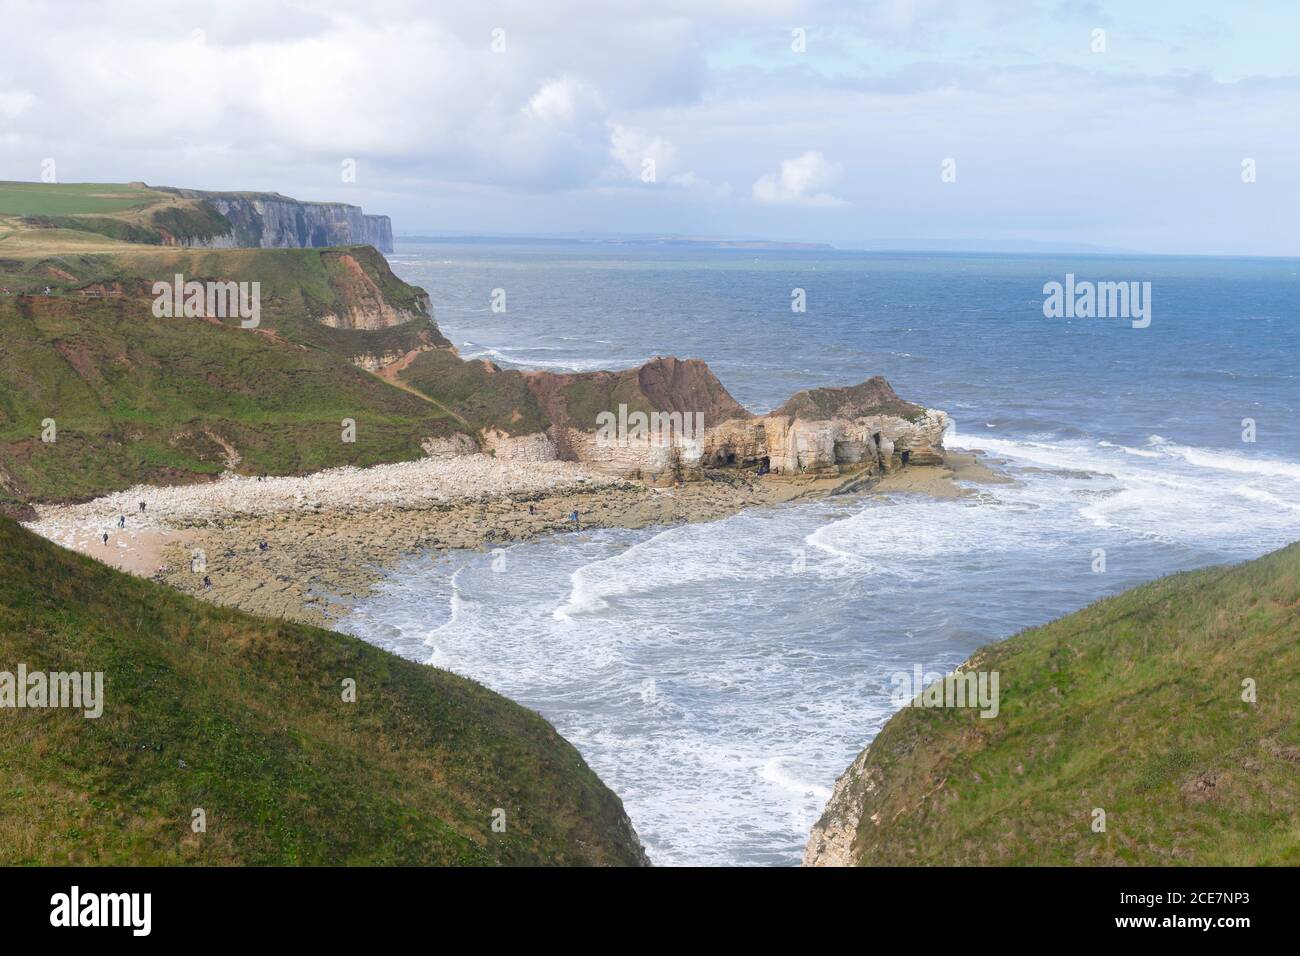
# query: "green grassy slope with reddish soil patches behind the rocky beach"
{"type": "Point", "coordinates": [140, 399]}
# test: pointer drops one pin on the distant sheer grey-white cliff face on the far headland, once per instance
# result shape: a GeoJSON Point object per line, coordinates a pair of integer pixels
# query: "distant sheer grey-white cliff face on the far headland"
{"type": "Point", "coordinates": [268, 220]}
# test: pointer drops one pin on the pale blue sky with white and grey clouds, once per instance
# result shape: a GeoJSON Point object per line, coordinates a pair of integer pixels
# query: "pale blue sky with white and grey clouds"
{"type": "Point", "coordinates": [1151, 126]}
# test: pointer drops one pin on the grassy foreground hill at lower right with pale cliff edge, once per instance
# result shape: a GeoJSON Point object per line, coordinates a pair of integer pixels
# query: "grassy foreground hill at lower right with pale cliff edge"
{"type": "Point", "coordinates": [1134, 707]}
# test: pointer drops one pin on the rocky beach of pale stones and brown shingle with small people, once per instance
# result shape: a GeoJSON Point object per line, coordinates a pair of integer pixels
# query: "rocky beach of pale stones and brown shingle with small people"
{"type": "Point", "coordinates": [307, 548]}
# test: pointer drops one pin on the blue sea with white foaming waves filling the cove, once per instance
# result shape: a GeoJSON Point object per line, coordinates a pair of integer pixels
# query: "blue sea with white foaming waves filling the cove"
{"type": "Point", "coordinates": [720, 677]}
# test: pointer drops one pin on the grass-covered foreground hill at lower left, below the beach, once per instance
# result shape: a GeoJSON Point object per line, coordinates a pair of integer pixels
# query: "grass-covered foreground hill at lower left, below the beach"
{"type": "Point", "coordinates": [245, 719]}
